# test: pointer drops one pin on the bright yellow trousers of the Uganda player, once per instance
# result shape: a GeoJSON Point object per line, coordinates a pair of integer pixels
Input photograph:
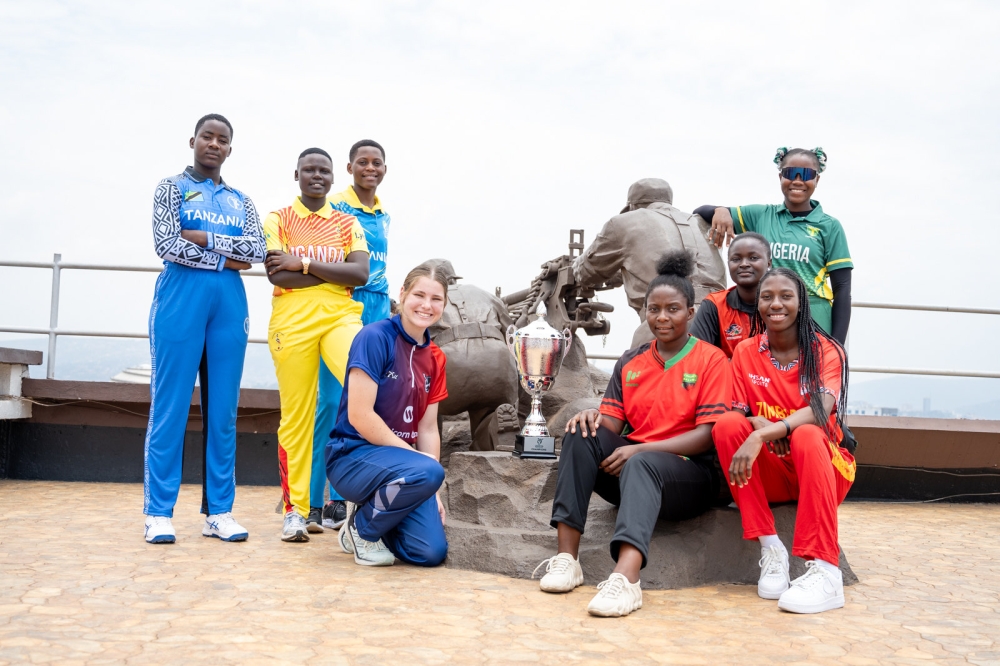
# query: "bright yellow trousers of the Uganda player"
{"type": "Point", "coordinates": [305, 326]}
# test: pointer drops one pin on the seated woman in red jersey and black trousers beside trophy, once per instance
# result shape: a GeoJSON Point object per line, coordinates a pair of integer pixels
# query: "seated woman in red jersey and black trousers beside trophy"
{"type": "Point", "coordinates": [668, 392]}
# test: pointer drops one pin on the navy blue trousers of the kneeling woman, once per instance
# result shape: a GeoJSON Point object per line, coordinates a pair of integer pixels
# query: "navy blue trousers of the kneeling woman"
{"type": "Point", "coordinates": [395, 492]}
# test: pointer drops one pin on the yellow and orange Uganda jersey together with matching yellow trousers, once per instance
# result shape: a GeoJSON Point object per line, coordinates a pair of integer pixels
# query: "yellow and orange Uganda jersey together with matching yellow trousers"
{"type": "Point", "coordinates": [308, 324]}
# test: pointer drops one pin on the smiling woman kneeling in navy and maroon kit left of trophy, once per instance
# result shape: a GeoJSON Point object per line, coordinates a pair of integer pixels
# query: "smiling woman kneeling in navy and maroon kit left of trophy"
{"type": "Point", "coordinates": [384, 449]}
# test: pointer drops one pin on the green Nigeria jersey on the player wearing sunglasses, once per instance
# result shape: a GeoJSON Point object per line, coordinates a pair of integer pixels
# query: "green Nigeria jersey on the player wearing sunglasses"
{"type": "Point", "coordinates": [811, 245]}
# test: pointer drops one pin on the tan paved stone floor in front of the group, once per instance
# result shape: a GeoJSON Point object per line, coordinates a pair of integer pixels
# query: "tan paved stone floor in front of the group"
{"type": "Point", "coordinates": [79, 585]}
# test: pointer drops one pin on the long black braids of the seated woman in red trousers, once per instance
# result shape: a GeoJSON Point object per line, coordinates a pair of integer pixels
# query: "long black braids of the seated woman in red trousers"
{"type": "Point", "coordinates": [810, 351]}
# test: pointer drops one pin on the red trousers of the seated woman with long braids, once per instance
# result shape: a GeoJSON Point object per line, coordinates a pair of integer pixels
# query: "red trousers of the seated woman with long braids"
{"type": "Point", "coordinates": [807, 475]}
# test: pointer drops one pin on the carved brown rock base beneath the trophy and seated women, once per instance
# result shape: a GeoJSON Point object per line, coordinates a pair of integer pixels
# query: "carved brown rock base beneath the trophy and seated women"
{"type": "Point", "coordinates": [498, 521]}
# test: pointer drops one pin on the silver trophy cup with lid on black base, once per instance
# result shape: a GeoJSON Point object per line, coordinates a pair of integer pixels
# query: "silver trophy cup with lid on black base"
{"type": "Point", "coordinates": [538, 351]}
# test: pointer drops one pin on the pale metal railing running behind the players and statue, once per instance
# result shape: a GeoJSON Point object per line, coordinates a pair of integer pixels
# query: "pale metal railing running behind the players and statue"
{"type": "Point", "coordinates": [57, 266]}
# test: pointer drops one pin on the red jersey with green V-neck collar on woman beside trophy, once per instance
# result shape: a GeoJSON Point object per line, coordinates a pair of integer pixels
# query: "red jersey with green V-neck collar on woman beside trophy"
{"type": "Point", "coordinates": [661, 399]}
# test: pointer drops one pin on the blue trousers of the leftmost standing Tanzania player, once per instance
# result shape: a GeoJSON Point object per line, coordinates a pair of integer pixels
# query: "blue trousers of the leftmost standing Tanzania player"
{"type": "Point", "coordinates": [195, 313]}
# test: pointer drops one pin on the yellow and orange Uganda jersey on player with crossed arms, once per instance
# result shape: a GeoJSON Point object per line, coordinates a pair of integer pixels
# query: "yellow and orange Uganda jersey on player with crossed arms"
{"type": "Point", "coordinates": [327, 235]}
